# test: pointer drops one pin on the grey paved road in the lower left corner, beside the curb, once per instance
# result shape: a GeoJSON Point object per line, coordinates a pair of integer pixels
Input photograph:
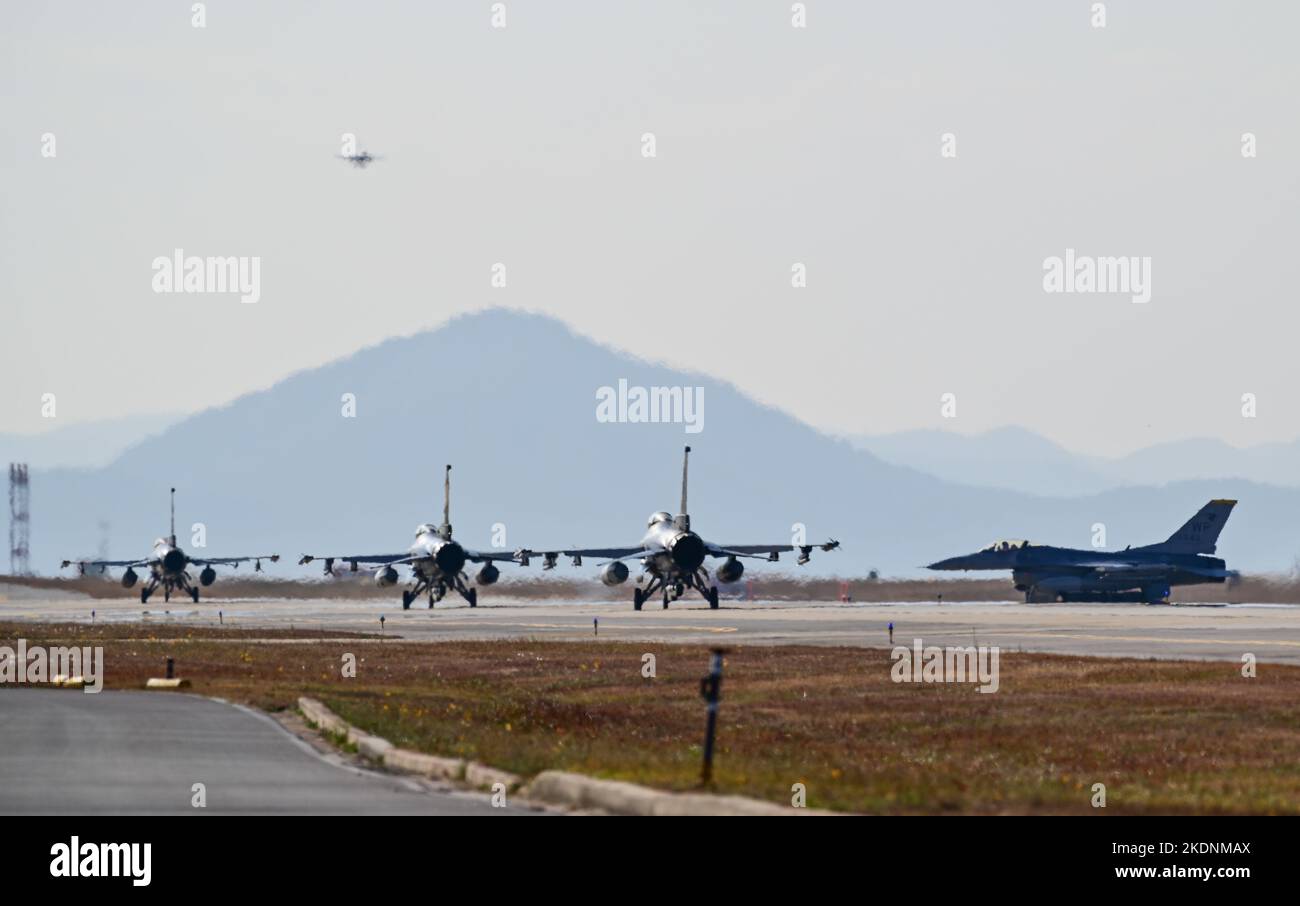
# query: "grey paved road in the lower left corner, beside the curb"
{"type": "Point", "coordinates": [138, 753]}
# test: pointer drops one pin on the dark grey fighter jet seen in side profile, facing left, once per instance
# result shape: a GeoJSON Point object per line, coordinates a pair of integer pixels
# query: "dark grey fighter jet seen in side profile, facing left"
{"type": "Point", "coordinates": [1136, 574]}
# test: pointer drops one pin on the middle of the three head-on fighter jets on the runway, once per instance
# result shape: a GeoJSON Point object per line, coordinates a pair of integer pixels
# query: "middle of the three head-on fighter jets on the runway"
{"type": "Point", "coordinates": [436, 562]}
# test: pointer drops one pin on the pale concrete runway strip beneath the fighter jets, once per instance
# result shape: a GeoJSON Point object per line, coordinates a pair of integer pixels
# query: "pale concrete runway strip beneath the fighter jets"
{"type": "Point", "coordinates": [1271, 632]}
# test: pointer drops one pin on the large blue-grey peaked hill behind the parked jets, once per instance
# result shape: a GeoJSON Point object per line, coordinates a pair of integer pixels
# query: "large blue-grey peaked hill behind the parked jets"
{"type": "Point", "coordinates": [510, 400]}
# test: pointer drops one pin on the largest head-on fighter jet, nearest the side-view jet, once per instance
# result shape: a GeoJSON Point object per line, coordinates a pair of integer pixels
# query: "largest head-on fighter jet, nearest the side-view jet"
{"type": "Point", "coordinates": [674, 557]}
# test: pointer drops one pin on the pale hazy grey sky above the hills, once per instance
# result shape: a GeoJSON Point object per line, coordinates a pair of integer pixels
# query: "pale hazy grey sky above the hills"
{"type": "Point", "coordinates": [775, 146]}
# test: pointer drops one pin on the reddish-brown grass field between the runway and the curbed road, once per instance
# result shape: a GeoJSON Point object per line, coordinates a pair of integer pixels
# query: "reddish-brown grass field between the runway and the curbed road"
{"type": "Point", "coordinates": [1163, 736]}
